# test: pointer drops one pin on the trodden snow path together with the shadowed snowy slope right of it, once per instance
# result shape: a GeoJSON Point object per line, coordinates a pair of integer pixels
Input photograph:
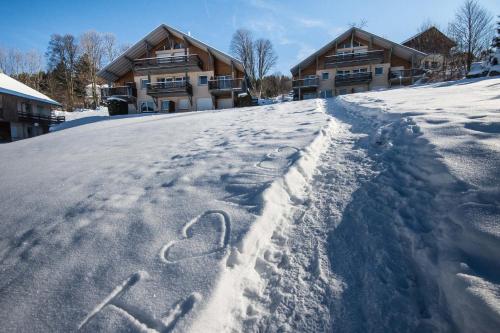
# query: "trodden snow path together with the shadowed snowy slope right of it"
{"type": "Point", "coordinates": [397, 231]}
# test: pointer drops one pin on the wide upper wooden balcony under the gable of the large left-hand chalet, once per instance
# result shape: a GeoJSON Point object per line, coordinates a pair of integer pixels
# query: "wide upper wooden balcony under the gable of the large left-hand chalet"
{"type": "Point", "coordinates": [168, 64]}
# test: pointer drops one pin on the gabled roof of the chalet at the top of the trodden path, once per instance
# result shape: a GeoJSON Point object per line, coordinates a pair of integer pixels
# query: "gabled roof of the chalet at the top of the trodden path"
{"type": "Point", "coordinates": [397, 49]}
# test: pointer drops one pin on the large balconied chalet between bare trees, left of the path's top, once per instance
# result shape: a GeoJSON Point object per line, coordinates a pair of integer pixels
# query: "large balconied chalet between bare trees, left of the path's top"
{"type": "Point", "coordinates": [170, 71]}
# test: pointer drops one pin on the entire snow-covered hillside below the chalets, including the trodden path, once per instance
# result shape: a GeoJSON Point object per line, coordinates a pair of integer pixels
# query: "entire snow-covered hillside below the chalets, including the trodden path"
{"type": "Point", "coordinates": [369, 212]}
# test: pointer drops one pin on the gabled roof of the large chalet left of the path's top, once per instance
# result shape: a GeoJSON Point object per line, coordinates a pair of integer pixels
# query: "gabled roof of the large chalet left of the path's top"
{"type": "Point", "coordinates": [121, 65]}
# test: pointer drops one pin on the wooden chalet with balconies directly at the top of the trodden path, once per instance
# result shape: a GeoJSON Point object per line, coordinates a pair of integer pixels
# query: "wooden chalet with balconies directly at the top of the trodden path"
{"type": "Point", "coordinates": [353, 62]}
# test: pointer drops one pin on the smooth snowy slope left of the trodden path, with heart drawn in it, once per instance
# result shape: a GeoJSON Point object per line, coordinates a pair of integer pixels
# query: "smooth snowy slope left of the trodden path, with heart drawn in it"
{"type": "Point", "coordinates": [127, 223]}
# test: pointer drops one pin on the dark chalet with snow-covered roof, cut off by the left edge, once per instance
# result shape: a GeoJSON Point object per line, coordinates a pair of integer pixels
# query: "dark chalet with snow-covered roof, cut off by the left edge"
{"type": "Point", "coordinates": [24, 112]}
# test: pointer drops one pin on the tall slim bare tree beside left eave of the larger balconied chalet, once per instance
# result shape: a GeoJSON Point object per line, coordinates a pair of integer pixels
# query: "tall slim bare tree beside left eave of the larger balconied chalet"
{"type": "Point", "coordinates": [92, 46]}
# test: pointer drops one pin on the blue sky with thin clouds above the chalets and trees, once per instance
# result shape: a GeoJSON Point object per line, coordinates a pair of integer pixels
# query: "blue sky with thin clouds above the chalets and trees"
{"type": "Point", "coordinates": [296, 28]}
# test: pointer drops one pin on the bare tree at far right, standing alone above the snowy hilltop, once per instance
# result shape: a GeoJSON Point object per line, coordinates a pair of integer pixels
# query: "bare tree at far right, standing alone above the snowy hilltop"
{"type": "Point", "coordinates": [471, 29]}
